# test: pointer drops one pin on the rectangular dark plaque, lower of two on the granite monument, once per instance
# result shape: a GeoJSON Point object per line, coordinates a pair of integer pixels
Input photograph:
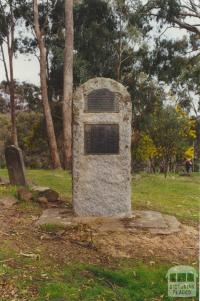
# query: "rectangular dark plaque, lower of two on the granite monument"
{"type": "Point", "coordinates": [101, 139]}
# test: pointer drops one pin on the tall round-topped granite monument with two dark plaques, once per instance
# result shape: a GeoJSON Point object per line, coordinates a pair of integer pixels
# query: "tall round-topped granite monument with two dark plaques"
{"type": "Point", "coordinates": [102, 149]}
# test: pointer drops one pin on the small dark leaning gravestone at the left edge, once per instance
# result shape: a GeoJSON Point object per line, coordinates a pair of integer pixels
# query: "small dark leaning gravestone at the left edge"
{"type": "Point", "coordinates": [15, 165]}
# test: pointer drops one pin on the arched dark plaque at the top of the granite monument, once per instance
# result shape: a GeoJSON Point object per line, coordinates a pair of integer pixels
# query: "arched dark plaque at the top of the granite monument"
{"type": "Point", "coordinates": [101, 100]}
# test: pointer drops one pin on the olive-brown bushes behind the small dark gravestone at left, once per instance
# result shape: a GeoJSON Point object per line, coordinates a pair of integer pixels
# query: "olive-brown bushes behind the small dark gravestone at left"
{"type": "Point", "coordinates": [31, 133]}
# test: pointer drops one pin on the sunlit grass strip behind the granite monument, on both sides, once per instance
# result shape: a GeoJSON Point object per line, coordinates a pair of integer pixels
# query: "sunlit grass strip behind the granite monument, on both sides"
{"type": "Point", "coordinates": [179, 196]}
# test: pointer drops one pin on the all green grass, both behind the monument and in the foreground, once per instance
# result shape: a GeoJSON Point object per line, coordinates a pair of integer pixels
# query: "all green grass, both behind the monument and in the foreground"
{"type": "Point", "coordinates": [126, 280]}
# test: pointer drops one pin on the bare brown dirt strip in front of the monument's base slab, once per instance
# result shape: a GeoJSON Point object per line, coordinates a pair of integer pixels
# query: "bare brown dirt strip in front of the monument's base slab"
{"type": "Point", "coordinates": [19, 233]}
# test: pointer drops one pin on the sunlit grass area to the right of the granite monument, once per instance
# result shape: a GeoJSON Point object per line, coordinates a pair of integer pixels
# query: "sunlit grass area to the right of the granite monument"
{"type": "Point", "coordinates": [179, 196]}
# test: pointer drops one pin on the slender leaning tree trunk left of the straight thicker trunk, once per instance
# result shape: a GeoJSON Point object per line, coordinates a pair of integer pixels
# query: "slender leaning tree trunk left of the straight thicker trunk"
{"type": "Point", "coordinates": [44, 91]}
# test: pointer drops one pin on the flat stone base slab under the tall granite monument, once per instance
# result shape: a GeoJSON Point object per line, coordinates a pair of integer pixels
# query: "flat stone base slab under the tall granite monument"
{"type": "Point", "coordinates": [152, 221]}
